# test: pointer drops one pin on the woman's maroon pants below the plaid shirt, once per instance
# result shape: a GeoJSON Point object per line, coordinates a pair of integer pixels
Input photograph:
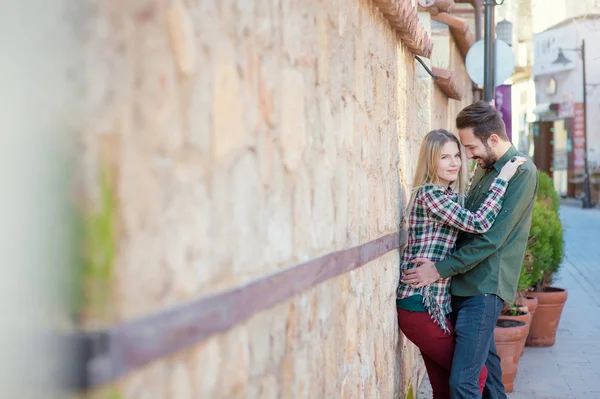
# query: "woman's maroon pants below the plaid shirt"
{"type": "Point", "coordinates": [437, 349]}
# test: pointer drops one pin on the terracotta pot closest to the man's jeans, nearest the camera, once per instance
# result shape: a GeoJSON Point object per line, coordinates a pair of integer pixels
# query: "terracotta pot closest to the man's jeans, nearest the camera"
{"type": "Point", "coordinates": [509, 335]}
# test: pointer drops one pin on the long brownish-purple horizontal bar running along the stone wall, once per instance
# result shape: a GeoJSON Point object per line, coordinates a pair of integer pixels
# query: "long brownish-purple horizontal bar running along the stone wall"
{"type": "Point", "coordinates": [103, 356]}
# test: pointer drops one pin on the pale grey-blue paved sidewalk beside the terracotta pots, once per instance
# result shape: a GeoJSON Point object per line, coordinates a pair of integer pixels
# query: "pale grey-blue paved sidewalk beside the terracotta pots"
{"type": "Point", "coordinates": [571, 368]}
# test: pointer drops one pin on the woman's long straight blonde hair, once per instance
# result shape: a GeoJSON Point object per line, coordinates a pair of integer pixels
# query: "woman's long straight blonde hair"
{"type": "Point", "coordinates": [427, 165]}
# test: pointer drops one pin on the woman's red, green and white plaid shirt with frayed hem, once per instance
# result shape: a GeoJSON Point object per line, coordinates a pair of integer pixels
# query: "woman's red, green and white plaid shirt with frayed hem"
{"type": "Point", "coordinates": [434, 223]}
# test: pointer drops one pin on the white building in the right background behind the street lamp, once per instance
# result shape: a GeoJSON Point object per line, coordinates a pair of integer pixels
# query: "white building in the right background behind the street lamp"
{"type": "Point", "coordinates": [559, 137]}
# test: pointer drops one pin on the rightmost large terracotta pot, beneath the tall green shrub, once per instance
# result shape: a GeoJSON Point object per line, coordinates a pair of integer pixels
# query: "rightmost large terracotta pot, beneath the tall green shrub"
{"type": "Point", "coordinates": [543, 327]}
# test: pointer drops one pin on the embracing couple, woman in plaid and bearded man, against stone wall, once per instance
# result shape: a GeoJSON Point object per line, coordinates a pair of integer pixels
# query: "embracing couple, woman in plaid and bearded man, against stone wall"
{"type": "Point", "coordinates": [463, 261]}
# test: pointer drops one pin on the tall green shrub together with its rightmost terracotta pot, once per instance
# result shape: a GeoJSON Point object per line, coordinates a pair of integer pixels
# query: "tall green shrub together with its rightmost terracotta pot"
{"type": "Point", "coordinates": [543, 258]}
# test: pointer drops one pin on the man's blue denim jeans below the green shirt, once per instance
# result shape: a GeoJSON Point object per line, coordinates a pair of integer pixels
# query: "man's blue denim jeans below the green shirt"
{"type": "Point", "coordinates": [474, 321]}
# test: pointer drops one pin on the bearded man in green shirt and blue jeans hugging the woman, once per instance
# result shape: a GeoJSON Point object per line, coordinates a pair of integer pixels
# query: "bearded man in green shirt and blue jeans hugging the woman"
{"type": "Point", "coordinates": [485, 268]}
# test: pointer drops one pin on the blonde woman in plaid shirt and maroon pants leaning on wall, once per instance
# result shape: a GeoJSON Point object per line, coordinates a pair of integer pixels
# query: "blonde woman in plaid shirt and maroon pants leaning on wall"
{"type": "Point", "coordinates": [435, 218]}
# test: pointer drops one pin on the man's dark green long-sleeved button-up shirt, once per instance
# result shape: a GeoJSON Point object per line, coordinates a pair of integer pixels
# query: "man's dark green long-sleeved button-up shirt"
{"type": "Point", "coordinates": [490, 263]}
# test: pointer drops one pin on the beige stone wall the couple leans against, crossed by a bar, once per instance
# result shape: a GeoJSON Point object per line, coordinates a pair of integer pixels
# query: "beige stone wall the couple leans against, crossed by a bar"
{"type": "Point", "coordinates": [240, 138]}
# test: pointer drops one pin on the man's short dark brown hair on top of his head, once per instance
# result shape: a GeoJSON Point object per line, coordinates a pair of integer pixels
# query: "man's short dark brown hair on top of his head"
{"type": "Point", "coordinates": [484, 119]}
